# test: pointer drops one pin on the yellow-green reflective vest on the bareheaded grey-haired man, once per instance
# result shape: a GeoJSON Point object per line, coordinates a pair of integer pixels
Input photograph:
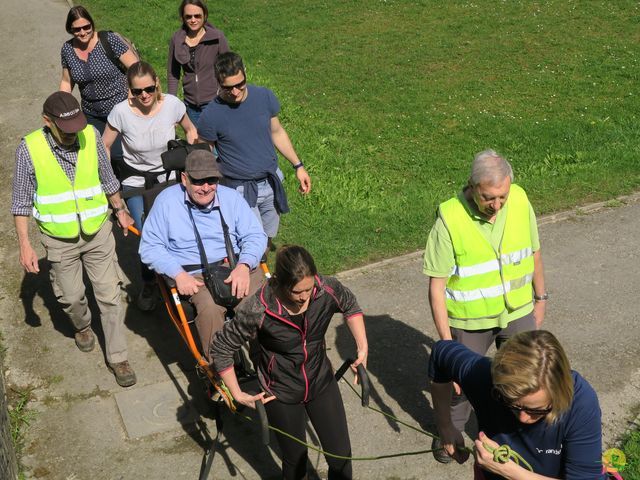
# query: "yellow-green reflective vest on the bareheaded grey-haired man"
{"type": "Point", "coordinates": [485, 282]}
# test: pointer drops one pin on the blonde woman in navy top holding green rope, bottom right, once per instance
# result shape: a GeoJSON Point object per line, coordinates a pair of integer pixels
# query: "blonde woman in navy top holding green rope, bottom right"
{"type": "Point", "coordinates": [528, 398]}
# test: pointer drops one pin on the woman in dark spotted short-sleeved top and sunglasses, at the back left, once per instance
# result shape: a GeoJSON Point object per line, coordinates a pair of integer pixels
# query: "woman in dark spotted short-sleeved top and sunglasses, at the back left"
{"type": "Point", "coordinates": [85, 63]}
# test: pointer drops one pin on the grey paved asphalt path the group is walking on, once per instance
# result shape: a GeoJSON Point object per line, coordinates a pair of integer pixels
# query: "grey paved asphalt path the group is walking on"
{"type": "Point", "coordinates": [87, 427]}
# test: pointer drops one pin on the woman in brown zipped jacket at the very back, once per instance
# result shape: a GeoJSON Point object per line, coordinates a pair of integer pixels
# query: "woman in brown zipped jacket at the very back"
{"type": "Point", "coordinates": [193, 51]}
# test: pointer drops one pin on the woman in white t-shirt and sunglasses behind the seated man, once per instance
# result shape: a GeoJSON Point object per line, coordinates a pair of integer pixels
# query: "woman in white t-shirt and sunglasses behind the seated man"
{"type": "Point", "coordinates": [146, 121]}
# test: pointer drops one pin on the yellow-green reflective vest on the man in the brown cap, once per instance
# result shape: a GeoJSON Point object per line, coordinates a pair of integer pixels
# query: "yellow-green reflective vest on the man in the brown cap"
{"type": "Point", "coordinates": [60, 208]}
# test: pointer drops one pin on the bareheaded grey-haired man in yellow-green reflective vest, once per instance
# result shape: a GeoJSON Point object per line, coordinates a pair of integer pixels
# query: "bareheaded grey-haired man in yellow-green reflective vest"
{"type": "Point", "coordinates": [486, 279]}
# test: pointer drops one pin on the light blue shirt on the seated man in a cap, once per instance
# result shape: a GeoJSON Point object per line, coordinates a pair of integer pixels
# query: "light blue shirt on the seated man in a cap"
{"type": "Point", "coordinates": [168, 240]}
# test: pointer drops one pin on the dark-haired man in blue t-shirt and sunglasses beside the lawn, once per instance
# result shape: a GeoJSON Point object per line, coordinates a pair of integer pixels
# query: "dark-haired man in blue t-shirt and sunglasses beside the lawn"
{"type": "Point", "coordinates": [242, 123]}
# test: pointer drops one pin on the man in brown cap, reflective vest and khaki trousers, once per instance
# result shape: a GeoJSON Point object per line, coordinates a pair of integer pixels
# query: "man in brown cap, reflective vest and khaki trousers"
{"type": "Point", "coordinates": [64, 179]}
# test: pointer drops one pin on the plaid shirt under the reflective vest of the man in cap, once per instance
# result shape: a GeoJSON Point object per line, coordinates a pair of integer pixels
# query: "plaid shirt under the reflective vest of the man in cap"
{"type": "Point", "coordinates": [24, 180]}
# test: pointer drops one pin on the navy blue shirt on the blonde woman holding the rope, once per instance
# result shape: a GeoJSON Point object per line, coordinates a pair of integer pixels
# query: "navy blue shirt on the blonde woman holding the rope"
{"type": "Point", "coordinates": [570, 448]}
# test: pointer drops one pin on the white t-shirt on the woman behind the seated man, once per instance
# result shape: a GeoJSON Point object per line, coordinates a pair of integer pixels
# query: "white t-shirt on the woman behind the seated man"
{"type": "Point", "coordinates": [145, 138]}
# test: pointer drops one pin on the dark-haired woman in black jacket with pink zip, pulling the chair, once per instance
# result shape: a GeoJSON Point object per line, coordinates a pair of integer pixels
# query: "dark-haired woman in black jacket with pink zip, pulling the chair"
{"type": "Point", "coordinates": [289, 317]}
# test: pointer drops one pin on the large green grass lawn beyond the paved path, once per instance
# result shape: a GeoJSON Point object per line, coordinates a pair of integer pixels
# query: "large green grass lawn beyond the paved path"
{"type": "Point", "coordinates": [388, 101]}
